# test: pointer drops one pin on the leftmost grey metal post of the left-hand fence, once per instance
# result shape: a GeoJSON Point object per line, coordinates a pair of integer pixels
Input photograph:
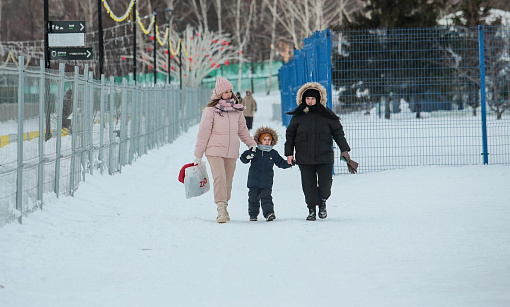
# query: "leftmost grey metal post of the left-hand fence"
{"type": "Point", "coordinates": [21, 116]}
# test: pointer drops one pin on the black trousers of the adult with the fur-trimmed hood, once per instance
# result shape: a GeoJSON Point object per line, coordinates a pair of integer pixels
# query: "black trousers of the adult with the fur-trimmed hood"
{"type": "Point", "coordinates": [316, 180]}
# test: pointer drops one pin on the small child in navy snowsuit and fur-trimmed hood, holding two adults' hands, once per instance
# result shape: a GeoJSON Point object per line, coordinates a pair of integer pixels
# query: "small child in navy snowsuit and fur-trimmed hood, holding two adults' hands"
{"type": "Point", "coordinates": [260, 176]}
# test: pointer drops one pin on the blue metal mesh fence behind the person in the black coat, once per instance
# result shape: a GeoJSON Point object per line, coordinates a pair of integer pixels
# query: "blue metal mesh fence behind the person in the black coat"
{"type": "Point", "coordinates": [415, 96]}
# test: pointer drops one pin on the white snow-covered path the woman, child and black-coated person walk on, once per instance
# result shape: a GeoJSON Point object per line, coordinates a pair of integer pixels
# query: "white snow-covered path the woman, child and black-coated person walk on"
{"type": "Point", "coordinates": [422, 236]}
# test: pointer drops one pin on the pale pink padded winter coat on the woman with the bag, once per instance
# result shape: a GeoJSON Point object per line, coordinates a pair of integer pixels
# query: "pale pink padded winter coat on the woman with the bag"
{"type": "Point", "coordinates": [219, 135]}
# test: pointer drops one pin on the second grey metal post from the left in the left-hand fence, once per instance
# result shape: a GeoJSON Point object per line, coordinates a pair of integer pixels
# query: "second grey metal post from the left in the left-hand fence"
{"type": "Point", "coordinates": [40, 171]}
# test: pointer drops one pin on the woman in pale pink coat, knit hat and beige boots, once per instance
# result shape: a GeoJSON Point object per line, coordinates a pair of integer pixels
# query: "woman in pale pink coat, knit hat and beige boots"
{"type": "Point", "coordinates": [221, 127]}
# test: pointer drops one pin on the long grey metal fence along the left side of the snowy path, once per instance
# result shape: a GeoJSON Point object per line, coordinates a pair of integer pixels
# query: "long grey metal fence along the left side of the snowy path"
{"type": "Point", "coordinates": [55, 127]}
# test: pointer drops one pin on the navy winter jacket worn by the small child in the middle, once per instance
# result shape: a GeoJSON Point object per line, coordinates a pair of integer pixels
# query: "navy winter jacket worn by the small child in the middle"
{"type": "Point", "coordinates": [261, 170]}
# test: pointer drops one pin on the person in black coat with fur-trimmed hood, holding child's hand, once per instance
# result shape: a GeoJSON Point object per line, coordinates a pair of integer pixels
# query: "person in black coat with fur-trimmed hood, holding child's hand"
{"type": "Point", "coordinates": [311, 132]}
